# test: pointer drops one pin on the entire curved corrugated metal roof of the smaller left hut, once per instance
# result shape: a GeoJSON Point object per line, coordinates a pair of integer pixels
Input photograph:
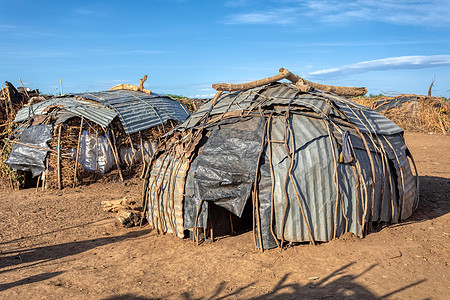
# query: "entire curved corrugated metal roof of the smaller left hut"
{"type": "Point", "coordinates": [136, 110]}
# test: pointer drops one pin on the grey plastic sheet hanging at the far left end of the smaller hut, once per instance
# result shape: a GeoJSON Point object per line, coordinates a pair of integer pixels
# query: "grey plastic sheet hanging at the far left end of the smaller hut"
{"type": "Point", "coordinates": [27, 158]}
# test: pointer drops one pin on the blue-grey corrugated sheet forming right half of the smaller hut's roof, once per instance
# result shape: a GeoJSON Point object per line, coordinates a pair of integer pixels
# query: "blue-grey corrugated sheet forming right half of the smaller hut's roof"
{"type": "Point", "coordinates": [137, 110]}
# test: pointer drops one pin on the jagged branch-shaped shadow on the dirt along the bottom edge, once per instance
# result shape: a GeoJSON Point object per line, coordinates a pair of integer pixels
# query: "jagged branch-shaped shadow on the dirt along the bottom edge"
{"type": "Point", "coordinates": [337, 285]}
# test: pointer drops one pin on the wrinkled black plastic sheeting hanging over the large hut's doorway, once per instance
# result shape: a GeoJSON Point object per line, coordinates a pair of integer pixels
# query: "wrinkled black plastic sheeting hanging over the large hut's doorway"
{"type": "Point", "coordinates": [224, 171]}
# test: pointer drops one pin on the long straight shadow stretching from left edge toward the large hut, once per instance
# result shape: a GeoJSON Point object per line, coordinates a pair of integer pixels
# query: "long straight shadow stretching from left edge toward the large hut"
{"type": "Point", "coordinates": [38, 255]}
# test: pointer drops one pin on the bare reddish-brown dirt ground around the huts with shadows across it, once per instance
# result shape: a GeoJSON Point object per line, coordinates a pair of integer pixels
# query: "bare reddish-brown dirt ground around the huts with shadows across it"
{"type": "Point", "coordinates": [62, 245]}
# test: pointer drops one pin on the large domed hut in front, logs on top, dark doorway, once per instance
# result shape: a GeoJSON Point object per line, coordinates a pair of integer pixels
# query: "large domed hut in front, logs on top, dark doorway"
{"type": "Point", "coordinates": [308, 166]}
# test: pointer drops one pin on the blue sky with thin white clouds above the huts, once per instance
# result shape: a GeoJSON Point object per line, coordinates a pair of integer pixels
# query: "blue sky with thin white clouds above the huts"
{"type": "Point", "coordinates": [391, 46]}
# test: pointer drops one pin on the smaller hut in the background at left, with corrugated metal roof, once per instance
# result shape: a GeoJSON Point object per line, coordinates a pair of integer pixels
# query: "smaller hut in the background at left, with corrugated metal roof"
{"type": "Point", "coordinates": [89, 133]}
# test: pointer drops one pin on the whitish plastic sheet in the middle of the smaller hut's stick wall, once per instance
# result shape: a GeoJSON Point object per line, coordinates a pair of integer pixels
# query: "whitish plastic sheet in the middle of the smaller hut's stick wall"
{"type": "Point", "coordinates": [88, 153]}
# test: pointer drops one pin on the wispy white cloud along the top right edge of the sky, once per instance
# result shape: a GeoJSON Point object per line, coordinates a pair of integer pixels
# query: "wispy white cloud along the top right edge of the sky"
{"type": "Point", "coordinates": [415, 12]}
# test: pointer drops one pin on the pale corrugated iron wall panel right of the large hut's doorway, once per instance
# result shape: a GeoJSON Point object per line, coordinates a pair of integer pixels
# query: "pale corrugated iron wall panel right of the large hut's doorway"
{"type": "Point", "coordinates": [313, 173]}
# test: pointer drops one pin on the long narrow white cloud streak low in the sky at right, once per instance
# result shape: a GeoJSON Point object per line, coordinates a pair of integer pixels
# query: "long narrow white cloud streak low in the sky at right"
{"type": "Point", "coordinates": [390, 63]}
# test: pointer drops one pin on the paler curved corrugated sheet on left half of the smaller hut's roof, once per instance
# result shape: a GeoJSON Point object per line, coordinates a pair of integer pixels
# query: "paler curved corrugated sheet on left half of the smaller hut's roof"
{"type": "Point", "coordinates": [94, 112]}
